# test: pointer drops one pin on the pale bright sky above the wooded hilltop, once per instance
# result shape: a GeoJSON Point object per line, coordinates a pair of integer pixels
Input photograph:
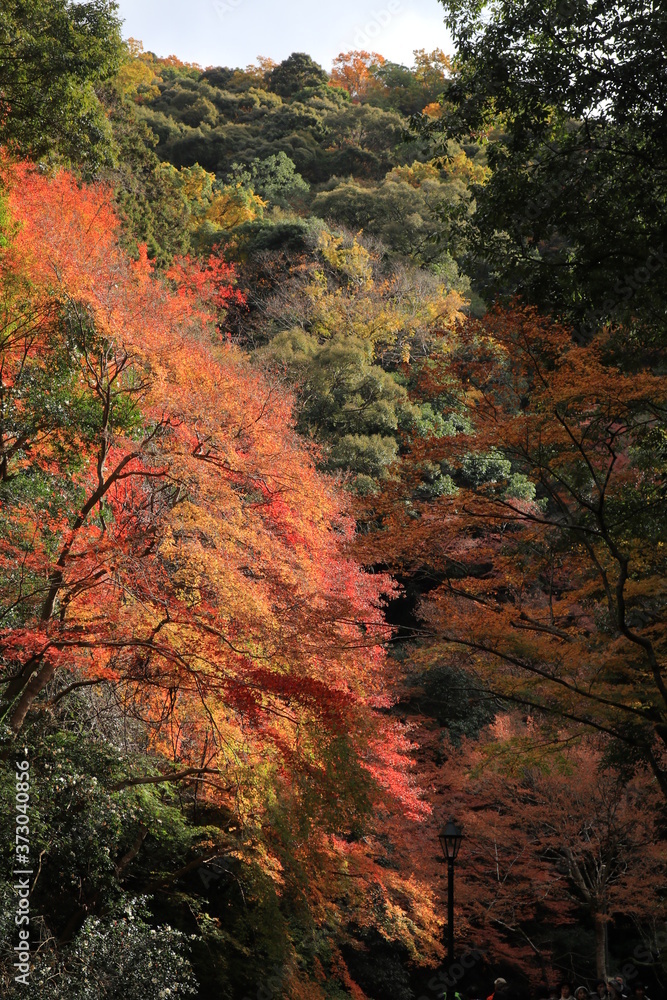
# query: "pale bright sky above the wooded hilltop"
{"type": "Point", "coordinates": [235, 32]}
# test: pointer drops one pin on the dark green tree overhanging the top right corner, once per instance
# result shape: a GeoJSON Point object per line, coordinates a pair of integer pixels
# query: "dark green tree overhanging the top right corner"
{"type": "Point", "coordinates": [570, 96]}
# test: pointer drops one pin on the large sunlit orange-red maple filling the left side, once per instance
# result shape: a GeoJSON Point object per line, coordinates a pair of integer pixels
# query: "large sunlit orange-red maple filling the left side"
{"type": "Point", "coordinates": [165, 537]}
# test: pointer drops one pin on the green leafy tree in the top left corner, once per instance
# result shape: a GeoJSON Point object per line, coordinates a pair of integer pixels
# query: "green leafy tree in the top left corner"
{"type": "Point", "coordinates": [52, 55]}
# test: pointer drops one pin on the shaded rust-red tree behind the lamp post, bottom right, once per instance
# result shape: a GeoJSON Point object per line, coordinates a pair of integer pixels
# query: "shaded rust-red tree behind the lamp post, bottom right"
{"type": "Point", "coordinates": [554, 836]}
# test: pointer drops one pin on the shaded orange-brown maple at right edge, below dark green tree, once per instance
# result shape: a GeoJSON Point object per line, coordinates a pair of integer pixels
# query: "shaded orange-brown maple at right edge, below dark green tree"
{"type": "Point", "coordinates": [547, 543]}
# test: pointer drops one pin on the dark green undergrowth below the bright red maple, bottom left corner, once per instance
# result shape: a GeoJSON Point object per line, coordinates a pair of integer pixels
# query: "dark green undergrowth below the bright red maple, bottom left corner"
{"type": "Point", "coordinates": [118, 895]}
